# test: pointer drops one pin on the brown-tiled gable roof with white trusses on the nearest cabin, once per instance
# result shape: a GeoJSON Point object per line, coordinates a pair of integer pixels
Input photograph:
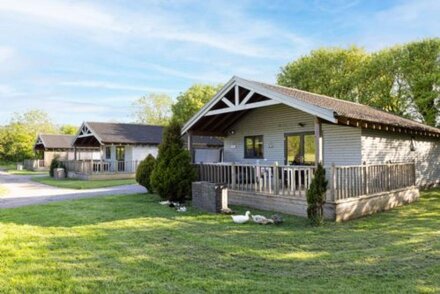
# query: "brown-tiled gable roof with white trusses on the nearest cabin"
{"type": "Point", "coordinates": [327, 108]}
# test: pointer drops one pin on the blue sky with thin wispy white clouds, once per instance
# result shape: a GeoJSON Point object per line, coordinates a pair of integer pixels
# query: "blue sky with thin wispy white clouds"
{"type": "Point", "coordinates": [89, 60]}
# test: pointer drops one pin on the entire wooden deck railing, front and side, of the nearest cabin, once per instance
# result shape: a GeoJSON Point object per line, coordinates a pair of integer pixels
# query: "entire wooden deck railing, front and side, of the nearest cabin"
{"type": "Point", "coordinates": [344, 181]}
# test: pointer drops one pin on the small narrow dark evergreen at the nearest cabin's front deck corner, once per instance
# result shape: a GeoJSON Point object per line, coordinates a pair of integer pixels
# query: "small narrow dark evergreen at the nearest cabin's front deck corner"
{"type": "Point", "coordinates": [316, 197]}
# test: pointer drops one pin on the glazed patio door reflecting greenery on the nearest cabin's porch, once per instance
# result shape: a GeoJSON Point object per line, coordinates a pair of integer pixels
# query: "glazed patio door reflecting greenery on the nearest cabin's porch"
{"type": "Point", "coordinates": [300, 149]}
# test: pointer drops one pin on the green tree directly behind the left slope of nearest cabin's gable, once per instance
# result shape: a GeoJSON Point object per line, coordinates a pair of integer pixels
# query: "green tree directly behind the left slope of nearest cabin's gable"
{"type": "Point", "coordinates": [190, 101]}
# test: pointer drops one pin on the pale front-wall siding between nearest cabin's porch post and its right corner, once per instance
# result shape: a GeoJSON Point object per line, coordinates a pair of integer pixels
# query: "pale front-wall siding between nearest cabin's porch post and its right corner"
{"type": "Point", "coordinates": [341, 145]}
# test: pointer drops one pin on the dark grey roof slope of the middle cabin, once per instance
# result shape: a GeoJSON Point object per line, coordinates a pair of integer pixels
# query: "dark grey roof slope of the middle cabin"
{"type": "Point", "coordinates": [126, 133]}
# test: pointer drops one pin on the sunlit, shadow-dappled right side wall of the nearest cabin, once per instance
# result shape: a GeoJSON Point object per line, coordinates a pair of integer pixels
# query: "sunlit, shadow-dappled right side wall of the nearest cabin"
{"type": "Point", "coordinates": [381, 147]}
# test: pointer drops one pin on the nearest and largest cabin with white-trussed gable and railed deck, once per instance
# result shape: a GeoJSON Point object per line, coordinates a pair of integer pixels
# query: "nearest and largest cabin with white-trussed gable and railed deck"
{"type": "Point", "coordinates": [274, 137]}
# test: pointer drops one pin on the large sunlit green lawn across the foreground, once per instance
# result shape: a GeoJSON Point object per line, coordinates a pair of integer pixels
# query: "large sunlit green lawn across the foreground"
{"type": "Point", "coordinates": [133, 244]}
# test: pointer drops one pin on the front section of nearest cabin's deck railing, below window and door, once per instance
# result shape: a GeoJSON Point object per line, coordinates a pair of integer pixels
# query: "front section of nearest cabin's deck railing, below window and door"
{"type": "Point", "coordinates": [267, 179]}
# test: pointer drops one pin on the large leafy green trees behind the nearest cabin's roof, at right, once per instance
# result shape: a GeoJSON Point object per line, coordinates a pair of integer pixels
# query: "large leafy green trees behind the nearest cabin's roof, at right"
{"type": "Point", "coordinates": [404, 79]}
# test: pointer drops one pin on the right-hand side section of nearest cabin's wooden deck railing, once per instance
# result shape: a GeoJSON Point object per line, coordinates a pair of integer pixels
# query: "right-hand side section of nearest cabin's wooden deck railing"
{"type": "Point", "coordinates": [358, 180]}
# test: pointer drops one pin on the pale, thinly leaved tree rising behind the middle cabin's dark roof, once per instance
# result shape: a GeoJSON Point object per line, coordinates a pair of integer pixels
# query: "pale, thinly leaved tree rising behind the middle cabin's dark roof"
{"type": "Point", "coordinates": [153, 109]}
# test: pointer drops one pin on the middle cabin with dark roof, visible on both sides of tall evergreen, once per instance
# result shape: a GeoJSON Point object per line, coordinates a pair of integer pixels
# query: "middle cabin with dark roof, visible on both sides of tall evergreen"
{"type": "Point", "coordinates": [122, 146]}
